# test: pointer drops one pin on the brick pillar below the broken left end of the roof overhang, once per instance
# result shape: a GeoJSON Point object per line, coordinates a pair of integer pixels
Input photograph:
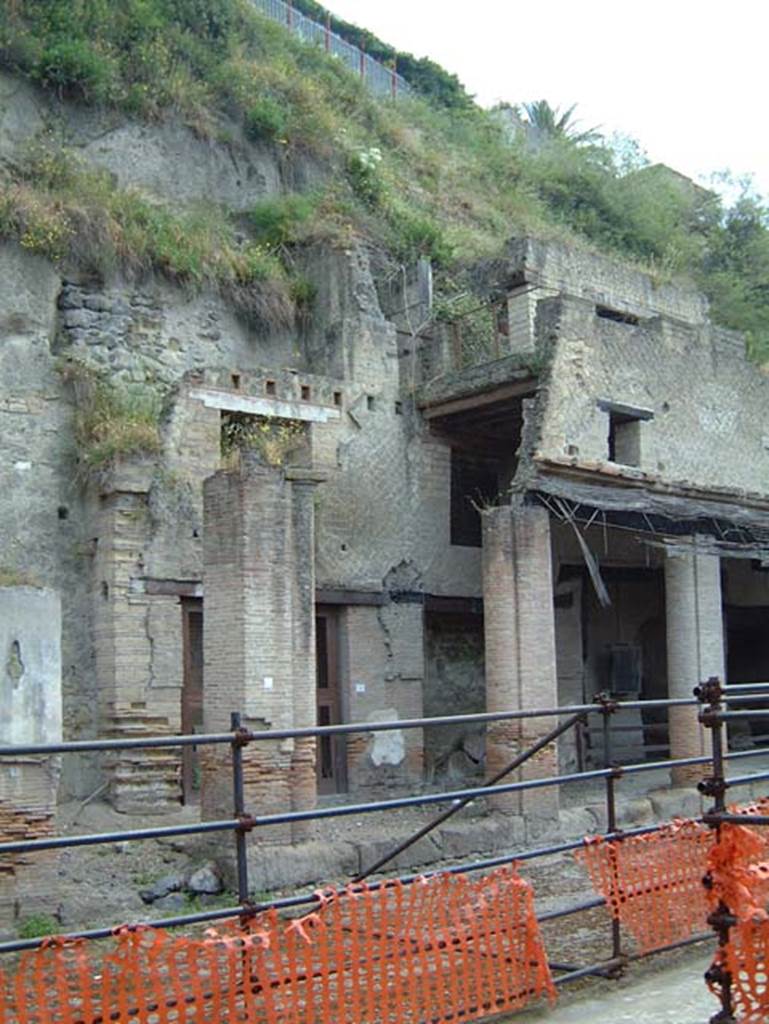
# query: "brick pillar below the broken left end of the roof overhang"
{"type": "Point", "coordinates": [520, 627]}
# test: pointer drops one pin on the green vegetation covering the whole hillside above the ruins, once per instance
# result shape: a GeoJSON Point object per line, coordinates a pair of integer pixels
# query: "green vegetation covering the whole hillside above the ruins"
{"type": "Point", "coordinates": [433, 177]}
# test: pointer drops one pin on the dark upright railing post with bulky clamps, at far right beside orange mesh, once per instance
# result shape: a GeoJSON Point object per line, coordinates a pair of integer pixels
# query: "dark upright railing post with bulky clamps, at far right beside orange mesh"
{"type": "Point", "coordinates": [721, 921]}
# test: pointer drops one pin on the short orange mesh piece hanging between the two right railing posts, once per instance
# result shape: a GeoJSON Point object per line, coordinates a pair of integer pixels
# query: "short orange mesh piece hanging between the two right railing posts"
{"type": "Point", "coordinates": [654, 884]}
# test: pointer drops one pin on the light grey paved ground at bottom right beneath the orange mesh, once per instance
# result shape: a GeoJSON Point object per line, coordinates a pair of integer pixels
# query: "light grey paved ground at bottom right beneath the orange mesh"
{"type": "Point", "coordinates": [674, 996]}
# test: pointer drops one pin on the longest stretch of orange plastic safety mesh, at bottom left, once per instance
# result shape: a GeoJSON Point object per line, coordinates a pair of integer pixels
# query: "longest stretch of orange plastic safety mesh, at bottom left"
{"type": "Point", "coordinates": [444, 950]}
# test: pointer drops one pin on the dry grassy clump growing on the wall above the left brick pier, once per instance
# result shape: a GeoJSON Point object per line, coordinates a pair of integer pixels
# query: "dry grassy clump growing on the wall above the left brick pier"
{"type": "Point", "coordinates": [112, 418]}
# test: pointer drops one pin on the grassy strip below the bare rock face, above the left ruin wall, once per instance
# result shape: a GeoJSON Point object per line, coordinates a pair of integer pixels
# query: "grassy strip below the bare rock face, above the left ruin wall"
{"type": "Point", "coordinates": [58, 207]}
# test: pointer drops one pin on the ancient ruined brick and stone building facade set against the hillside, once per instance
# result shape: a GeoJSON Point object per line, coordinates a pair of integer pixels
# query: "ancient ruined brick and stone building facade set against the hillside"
{"type": "Point", "coordinates": [370, 516]}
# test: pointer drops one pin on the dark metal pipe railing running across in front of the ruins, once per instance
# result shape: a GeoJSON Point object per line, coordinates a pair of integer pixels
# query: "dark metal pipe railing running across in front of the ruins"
{"type": "Point", "coordinates": [243, 823]}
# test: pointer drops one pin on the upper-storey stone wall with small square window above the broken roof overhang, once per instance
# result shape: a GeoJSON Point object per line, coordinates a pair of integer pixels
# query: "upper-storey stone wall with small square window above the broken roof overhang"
{"type": "Point", "coordinates": [705, 404]}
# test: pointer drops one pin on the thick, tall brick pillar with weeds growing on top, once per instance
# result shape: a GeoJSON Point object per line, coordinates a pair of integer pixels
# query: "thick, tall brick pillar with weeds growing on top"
{"type": "Point", "coordinates": [260, 637]}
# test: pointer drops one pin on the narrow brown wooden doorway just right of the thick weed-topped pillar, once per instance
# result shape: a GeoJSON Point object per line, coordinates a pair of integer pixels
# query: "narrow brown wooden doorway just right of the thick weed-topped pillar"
{"type": "Point", "coordinates": [332, 757]}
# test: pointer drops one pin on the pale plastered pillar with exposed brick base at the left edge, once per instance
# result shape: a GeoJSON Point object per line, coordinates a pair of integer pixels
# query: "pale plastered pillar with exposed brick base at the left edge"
{"type": "Point", "coordinates": [31, 702]}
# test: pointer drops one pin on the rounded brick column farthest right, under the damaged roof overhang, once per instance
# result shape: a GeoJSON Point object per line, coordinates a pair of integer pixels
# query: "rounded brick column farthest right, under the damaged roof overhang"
{"type": "Point", "coordinates": [696, 648]}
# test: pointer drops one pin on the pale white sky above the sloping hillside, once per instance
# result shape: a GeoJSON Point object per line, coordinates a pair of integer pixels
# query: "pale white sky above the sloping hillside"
{"type": "Point", "coordinates": [687, 78]}
